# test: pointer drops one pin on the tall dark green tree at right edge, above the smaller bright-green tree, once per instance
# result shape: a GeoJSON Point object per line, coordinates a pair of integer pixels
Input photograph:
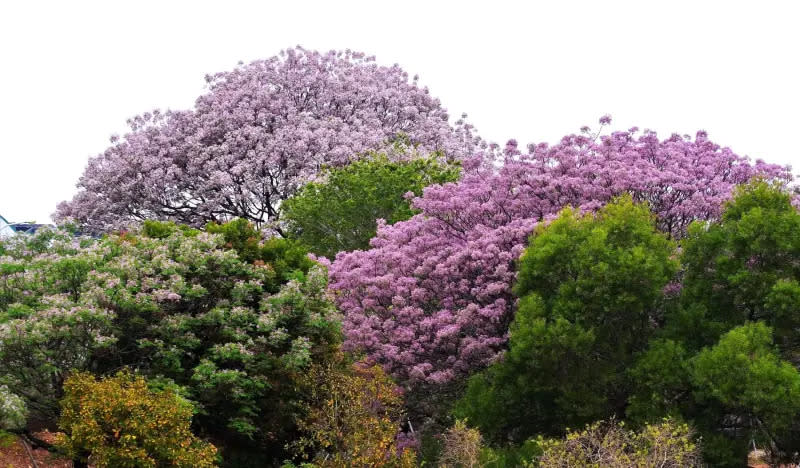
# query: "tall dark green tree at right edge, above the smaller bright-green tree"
{"type": "Point", "coordinates": [743, 268]}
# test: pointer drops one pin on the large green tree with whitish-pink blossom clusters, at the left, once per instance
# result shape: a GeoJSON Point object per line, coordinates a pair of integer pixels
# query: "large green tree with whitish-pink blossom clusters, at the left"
{"type": "Point", "coordinates": [181, 308]}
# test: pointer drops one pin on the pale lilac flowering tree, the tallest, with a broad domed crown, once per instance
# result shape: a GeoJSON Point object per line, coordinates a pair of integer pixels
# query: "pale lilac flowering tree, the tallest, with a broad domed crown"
{"type": "Point", "coordinates": [261, 131]}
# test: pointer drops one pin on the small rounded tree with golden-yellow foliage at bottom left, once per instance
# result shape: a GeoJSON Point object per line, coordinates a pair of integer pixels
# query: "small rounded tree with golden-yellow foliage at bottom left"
{"type": "Point", "coordinates": [119, 422]}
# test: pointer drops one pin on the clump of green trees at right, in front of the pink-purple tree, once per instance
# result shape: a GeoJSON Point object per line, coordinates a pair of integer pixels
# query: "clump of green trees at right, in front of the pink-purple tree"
{"type": "Point", "coordinates": [596, 337]}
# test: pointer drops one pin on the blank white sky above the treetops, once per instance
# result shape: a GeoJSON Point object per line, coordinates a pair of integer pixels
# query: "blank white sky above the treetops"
{"type": "Point", "coordinates": [73, 72]}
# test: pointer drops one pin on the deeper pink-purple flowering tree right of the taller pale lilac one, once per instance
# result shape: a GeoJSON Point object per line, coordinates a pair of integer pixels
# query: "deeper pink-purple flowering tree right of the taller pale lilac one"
{"type": "Point", "coordinates": [431, 299]}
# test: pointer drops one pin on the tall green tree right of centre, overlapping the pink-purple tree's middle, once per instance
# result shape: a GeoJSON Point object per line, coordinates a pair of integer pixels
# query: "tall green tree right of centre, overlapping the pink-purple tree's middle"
{"type": "Point", "coordinates": [588, 286]}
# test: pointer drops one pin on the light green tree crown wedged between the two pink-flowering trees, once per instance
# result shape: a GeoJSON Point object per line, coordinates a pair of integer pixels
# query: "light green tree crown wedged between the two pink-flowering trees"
{"type": "Point", "coordinates": [340, 213]}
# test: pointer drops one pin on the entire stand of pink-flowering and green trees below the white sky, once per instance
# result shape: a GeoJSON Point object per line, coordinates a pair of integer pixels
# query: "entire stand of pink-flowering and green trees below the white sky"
{"type": "Point", "coordinates": [313, 266]}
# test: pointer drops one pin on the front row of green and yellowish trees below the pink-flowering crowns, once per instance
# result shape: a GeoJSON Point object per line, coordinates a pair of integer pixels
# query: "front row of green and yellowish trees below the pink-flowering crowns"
{"type": "Point", "coordinates": [240, 336]}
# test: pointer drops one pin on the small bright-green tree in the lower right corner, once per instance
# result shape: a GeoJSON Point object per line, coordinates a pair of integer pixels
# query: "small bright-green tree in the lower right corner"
{"type": "Point", "coordinates": [744, 391]}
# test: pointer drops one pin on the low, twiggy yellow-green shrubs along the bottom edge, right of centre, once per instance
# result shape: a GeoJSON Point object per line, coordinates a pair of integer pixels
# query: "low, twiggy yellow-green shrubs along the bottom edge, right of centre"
{"type": "Point", "coordinates": [668, 444]}
